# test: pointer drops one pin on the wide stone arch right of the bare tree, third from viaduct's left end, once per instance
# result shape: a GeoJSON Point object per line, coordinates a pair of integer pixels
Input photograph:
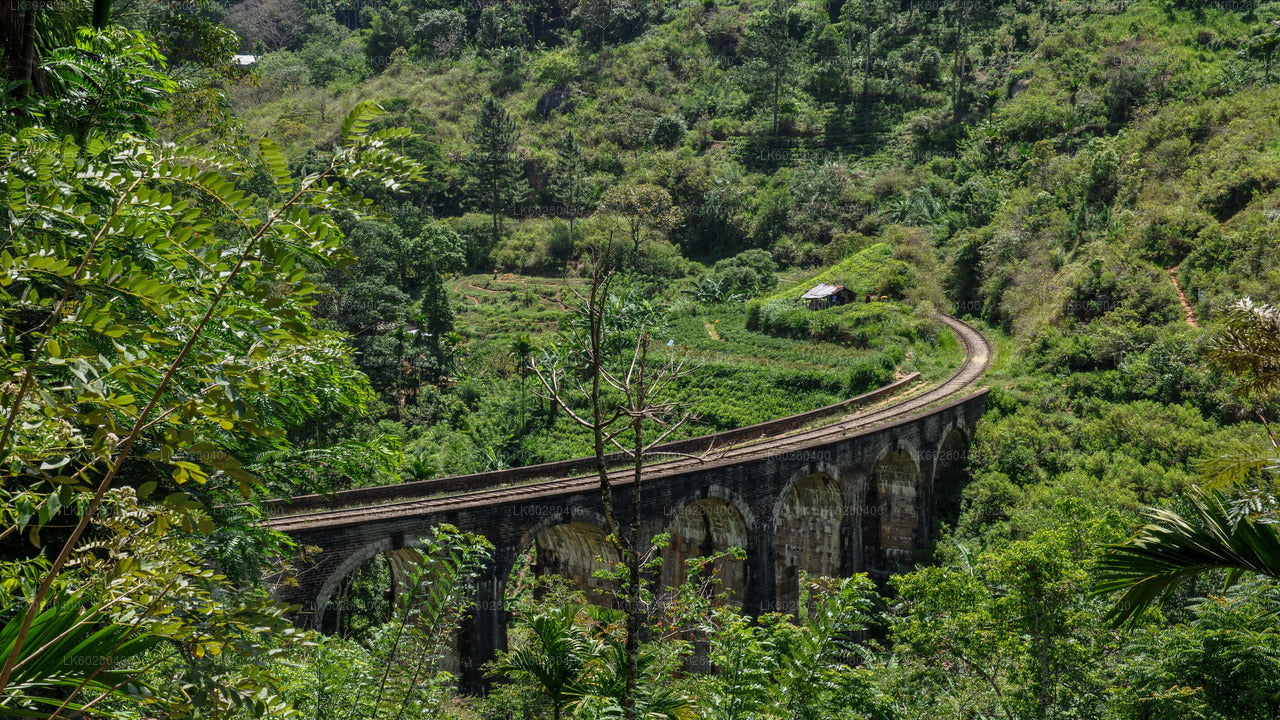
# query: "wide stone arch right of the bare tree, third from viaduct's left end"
{"type": "Point", "coordinates": [705, 527]}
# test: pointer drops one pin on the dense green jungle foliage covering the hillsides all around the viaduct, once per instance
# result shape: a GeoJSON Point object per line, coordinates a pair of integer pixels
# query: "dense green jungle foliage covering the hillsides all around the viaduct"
{"type": "Point", "coordinates": [275, 248]}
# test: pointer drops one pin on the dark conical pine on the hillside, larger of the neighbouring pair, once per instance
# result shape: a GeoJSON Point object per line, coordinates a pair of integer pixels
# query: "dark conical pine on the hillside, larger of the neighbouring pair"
{"type": "Point", "coordinates": [497, 180]}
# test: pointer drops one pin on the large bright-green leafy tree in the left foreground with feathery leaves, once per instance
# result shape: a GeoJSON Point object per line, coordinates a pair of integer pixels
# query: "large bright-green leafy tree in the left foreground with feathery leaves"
{"type": "Point", "coordinates": [156, 308]}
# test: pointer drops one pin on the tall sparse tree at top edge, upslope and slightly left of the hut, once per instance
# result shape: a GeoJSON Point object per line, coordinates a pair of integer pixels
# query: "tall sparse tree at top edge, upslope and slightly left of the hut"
{"type": "Point", "coordinates": [772, 57]}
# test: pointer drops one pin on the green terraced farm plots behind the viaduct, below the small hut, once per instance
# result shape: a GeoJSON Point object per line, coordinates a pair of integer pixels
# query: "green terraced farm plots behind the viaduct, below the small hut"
{"type": "Point", "coordinates": [742, 379]}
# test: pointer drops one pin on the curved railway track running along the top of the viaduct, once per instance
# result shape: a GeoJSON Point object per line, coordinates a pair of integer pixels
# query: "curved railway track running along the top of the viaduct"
{"type": "Point", "coordinates": [977, 359]}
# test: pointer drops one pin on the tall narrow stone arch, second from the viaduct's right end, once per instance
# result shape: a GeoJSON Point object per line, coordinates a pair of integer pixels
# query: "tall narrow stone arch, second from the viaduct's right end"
{"type": "Point", "coordinates": [893, 512]}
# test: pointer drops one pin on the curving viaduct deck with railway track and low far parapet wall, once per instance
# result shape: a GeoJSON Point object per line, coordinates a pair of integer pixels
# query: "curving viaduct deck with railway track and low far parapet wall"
{"type": "Point", "coordinates": [336, 512]}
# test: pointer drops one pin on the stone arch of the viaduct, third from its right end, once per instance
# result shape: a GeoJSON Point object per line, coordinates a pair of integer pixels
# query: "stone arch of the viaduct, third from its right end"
{"type": "Point", "coordinates": [807, 531]}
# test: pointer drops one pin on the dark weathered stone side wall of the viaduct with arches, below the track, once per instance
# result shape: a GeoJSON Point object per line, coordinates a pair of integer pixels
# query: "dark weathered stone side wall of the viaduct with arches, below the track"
{"type": "Point", "coordinates": [865, 503]}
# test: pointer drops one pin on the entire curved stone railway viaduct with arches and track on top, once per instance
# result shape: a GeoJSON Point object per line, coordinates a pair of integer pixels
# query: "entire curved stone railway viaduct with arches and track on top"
{"type": "Point", "coordinates": [860, 495]}
